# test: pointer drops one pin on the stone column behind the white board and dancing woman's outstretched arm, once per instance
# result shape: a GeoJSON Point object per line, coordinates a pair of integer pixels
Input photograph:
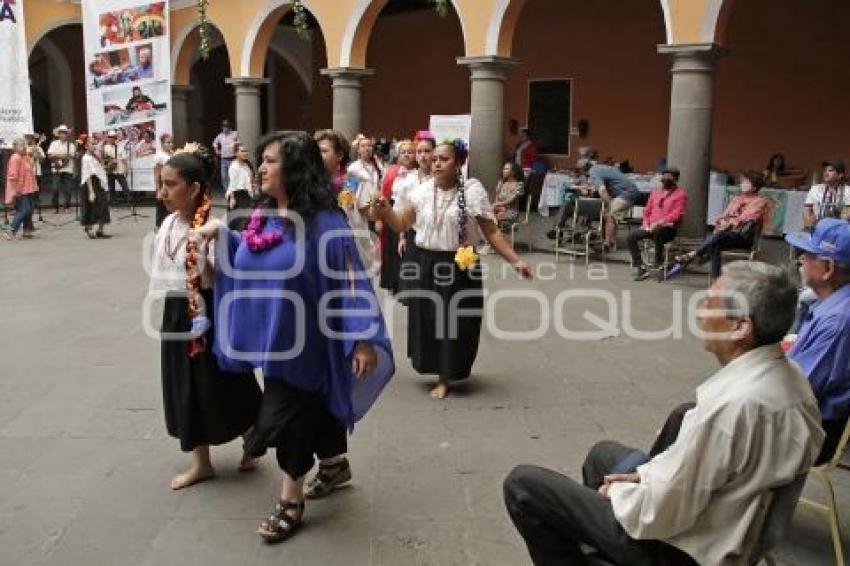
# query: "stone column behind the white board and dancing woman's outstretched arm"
{"type": "Point", "coordinates": [486, 139]}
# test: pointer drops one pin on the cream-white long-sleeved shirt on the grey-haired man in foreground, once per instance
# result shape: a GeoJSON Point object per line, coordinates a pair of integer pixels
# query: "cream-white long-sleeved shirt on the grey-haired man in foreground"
{"type": "Point", "coordinates": [756, 426]}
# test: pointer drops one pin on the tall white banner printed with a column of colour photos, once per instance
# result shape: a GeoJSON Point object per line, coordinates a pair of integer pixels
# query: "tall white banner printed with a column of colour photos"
{"type": "Point", "coordinates": [128, 79]}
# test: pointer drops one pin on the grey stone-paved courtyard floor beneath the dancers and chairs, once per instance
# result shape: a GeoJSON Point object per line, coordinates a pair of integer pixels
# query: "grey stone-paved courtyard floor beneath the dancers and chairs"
{"type": "Point", "coordinates": [85, 461]}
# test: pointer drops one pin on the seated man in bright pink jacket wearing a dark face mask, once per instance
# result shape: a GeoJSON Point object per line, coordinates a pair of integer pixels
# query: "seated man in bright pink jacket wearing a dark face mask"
{"type": "Point", "coordinates": [661, 217]}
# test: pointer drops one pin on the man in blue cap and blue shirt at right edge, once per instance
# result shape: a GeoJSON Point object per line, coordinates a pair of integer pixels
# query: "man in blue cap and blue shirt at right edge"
{"type": "Point", "coordinates": [822, 347]}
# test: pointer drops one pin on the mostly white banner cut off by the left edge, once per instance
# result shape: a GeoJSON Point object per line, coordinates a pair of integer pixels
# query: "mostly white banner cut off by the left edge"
{"type": "Point", "coordinates": [15, 102]}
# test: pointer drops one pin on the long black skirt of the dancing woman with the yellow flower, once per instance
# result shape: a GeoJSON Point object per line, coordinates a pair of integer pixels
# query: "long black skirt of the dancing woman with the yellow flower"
{"type": "Point", "coordinates": [443, 335]}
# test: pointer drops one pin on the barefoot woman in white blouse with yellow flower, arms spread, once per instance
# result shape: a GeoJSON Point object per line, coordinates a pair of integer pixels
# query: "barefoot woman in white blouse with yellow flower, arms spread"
{"type": "Point", "coordinates": [447, 214]}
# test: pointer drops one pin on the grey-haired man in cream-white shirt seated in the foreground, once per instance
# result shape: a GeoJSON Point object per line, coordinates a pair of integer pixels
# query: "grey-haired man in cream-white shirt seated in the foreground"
{"type": "Point", "coordinates": [755, 426]}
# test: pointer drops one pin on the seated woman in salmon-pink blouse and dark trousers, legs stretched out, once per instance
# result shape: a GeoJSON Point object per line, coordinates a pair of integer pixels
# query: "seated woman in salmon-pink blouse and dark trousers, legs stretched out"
{"type": "Point", "coordinates": [735, 229]}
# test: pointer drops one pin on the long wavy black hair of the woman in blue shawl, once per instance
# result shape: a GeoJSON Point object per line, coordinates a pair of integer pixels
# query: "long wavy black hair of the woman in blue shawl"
{"type": "Point", "coordinates": [306, 181]}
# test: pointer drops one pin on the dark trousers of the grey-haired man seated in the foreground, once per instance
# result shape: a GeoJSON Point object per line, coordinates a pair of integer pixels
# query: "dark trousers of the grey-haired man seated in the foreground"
{"type": "Point", "coordinates": [555, 514]}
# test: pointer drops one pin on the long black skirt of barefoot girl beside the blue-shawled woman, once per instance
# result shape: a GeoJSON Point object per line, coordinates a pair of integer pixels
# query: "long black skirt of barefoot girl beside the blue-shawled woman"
{"type": "Point", "coordinates": [203, 405]}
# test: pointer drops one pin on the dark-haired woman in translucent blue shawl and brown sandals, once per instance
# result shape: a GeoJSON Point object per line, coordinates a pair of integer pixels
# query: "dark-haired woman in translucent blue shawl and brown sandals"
{"type": "Point", "coordinates": [292, 298]}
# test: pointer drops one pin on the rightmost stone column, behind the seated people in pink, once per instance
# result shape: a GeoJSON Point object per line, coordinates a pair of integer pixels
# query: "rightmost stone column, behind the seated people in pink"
{"type": "Point", "coordinates": [689, 139]}
